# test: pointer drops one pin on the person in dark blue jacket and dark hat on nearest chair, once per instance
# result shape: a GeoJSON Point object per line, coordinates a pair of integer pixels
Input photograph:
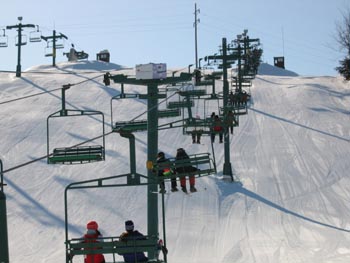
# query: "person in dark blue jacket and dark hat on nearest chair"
{"type": "Point", "coordinates": [132, 234]}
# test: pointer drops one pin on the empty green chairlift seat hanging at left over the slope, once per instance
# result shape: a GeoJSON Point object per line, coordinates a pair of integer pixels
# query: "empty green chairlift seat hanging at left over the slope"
{"type": "Point", "coordinates": [75, 154]}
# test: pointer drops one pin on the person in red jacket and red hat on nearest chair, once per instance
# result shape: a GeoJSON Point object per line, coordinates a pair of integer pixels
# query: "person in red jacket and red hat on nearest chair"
{"type": "Point", "coordinates": [92, 235]}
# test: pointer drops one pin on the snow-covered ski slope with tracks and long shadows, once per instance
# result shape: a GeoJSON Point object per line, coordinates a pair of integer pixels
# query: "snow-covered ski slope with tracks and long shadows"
{"type": "Point", "coordinates": [291, 154]}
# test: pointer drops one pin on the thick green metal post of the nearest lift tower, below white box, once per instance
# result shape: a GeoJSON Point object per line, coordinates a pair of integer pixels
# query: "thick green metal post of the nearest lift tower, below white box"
{"type": "Point", "coordinates": [152, 142]}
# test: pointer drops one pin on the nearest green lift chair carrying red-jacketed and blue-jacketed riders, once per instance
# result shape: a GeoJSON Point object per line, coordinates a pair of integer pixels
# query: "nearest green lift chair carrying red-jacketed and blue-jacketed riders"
{"type": "Point", "coordinates": [112, 246]}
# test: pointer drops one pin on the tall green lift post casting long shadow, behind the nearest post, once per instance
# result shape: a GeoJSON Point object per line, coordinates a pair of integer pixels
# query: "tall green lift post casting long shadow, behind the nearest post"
{"type": "Point", "coordinates": [227, 164]}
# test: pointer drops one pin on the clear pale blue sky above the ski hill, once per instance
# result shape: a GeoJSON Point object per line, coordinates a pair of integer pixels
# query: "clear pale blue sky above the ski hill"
{"type": "Point", "coordinates": [161, 31]}
